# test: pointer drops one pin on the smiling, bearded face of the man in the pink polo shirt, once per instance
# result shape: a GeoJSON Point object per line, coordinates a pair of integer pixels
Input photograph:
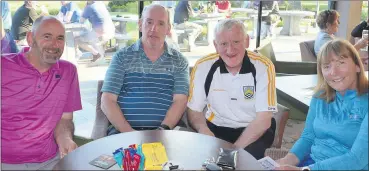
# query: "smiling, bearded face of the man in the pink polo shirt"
{"type": "Point", "coordinates": [48, 41]}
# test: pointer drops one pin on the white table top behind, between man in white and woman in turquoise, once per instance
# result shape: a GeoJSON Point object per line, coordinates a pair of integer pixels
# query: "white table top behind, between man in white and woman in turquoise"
{"type": "Point", "coordinates": [299, 88]}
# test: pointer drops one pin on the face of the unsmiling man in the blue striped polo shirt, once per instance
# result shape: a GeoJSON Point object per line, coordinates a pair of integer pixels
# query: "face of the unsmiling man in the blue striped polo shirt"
{"type": "Point", "coordinates": [154, 26]}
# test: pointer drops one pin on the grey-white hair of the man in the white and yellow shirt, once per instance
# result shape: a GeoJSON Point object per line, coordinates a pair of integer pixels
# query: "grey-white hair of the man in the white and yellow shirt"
{"type": "Point", "coordinates": [228, 24]}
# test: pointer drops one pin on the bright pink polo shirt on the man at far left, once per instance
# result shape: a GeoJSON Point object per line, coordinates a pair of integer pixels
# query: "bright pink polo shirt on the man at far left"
{"type": "Point", "coordinates": [31, 106]}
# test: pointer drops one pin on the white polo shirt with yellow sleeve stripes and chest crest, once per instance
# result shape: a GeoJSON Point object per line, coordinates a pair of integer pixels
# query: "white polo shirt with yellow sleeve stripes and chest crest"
{"type": "Point", "coordinates": [233, 100]}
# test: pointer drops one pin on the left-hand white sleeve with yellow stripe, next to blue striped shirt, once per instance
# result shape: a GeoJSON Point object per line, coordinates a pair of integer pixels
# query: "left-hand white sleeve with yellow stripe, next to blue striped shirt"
{"type": "Point", "coordinates": [197, 98]}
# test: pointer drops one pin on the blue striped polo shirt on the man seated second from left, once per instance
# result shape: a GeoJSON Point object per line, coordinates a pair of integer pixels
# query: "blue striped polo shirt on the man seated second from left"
{"type": "Point", "coordinates": [145, 89]}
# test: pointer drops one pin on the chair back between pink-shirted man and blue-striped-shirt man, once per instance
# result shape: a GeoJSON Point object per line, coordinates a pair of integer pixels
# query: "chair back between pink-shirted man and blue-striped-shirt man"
{"type": "Point", "coordinates": [101, 121]}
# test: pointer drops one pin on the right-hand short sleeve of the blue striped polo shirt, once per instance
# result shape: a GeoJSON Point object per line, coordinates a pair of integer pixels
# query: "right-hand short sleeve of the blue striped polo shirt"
{"type": "Point", "coordinates": [181, 81]}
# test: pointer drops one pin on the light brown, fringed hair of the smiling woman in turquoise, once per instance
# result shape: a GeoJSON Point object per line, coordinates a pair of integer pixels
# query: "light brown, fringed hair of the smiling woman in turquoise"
{"type": "Point", "coordinates": [343, 48]}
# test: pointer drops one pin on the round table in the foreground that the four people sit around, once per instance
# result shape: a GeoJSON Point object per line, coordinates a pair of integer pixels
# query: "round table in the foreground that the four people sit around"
{"type": "Point", "coordinates": [187, 148]}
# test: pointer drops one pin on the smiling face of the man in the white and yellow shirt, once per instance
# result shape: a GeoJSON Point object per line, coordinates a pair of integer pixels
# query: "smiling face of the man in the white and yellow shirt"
{"type": "Point", "coordinates": [230, 44]}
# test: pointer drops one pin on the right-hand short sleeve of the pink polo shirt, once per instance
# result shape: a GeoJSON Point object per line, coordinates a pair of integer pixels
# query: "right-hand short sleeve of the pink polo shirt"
{"type": "Point", "coordinates": [74, 96]}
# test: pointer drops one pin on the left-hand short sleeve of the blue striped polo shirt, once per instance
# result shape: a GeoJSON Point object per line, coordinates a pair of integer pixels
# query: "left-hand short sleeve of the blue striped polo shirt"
{"type": "Point", "coordinates": [114, 76]}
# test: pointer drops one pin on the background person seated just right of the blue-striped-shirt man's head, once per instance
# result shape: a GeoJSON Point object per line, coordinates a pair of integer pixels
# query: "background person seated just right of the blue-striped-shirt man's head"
{"type": "Point", "coordinates": [182, 14]}
